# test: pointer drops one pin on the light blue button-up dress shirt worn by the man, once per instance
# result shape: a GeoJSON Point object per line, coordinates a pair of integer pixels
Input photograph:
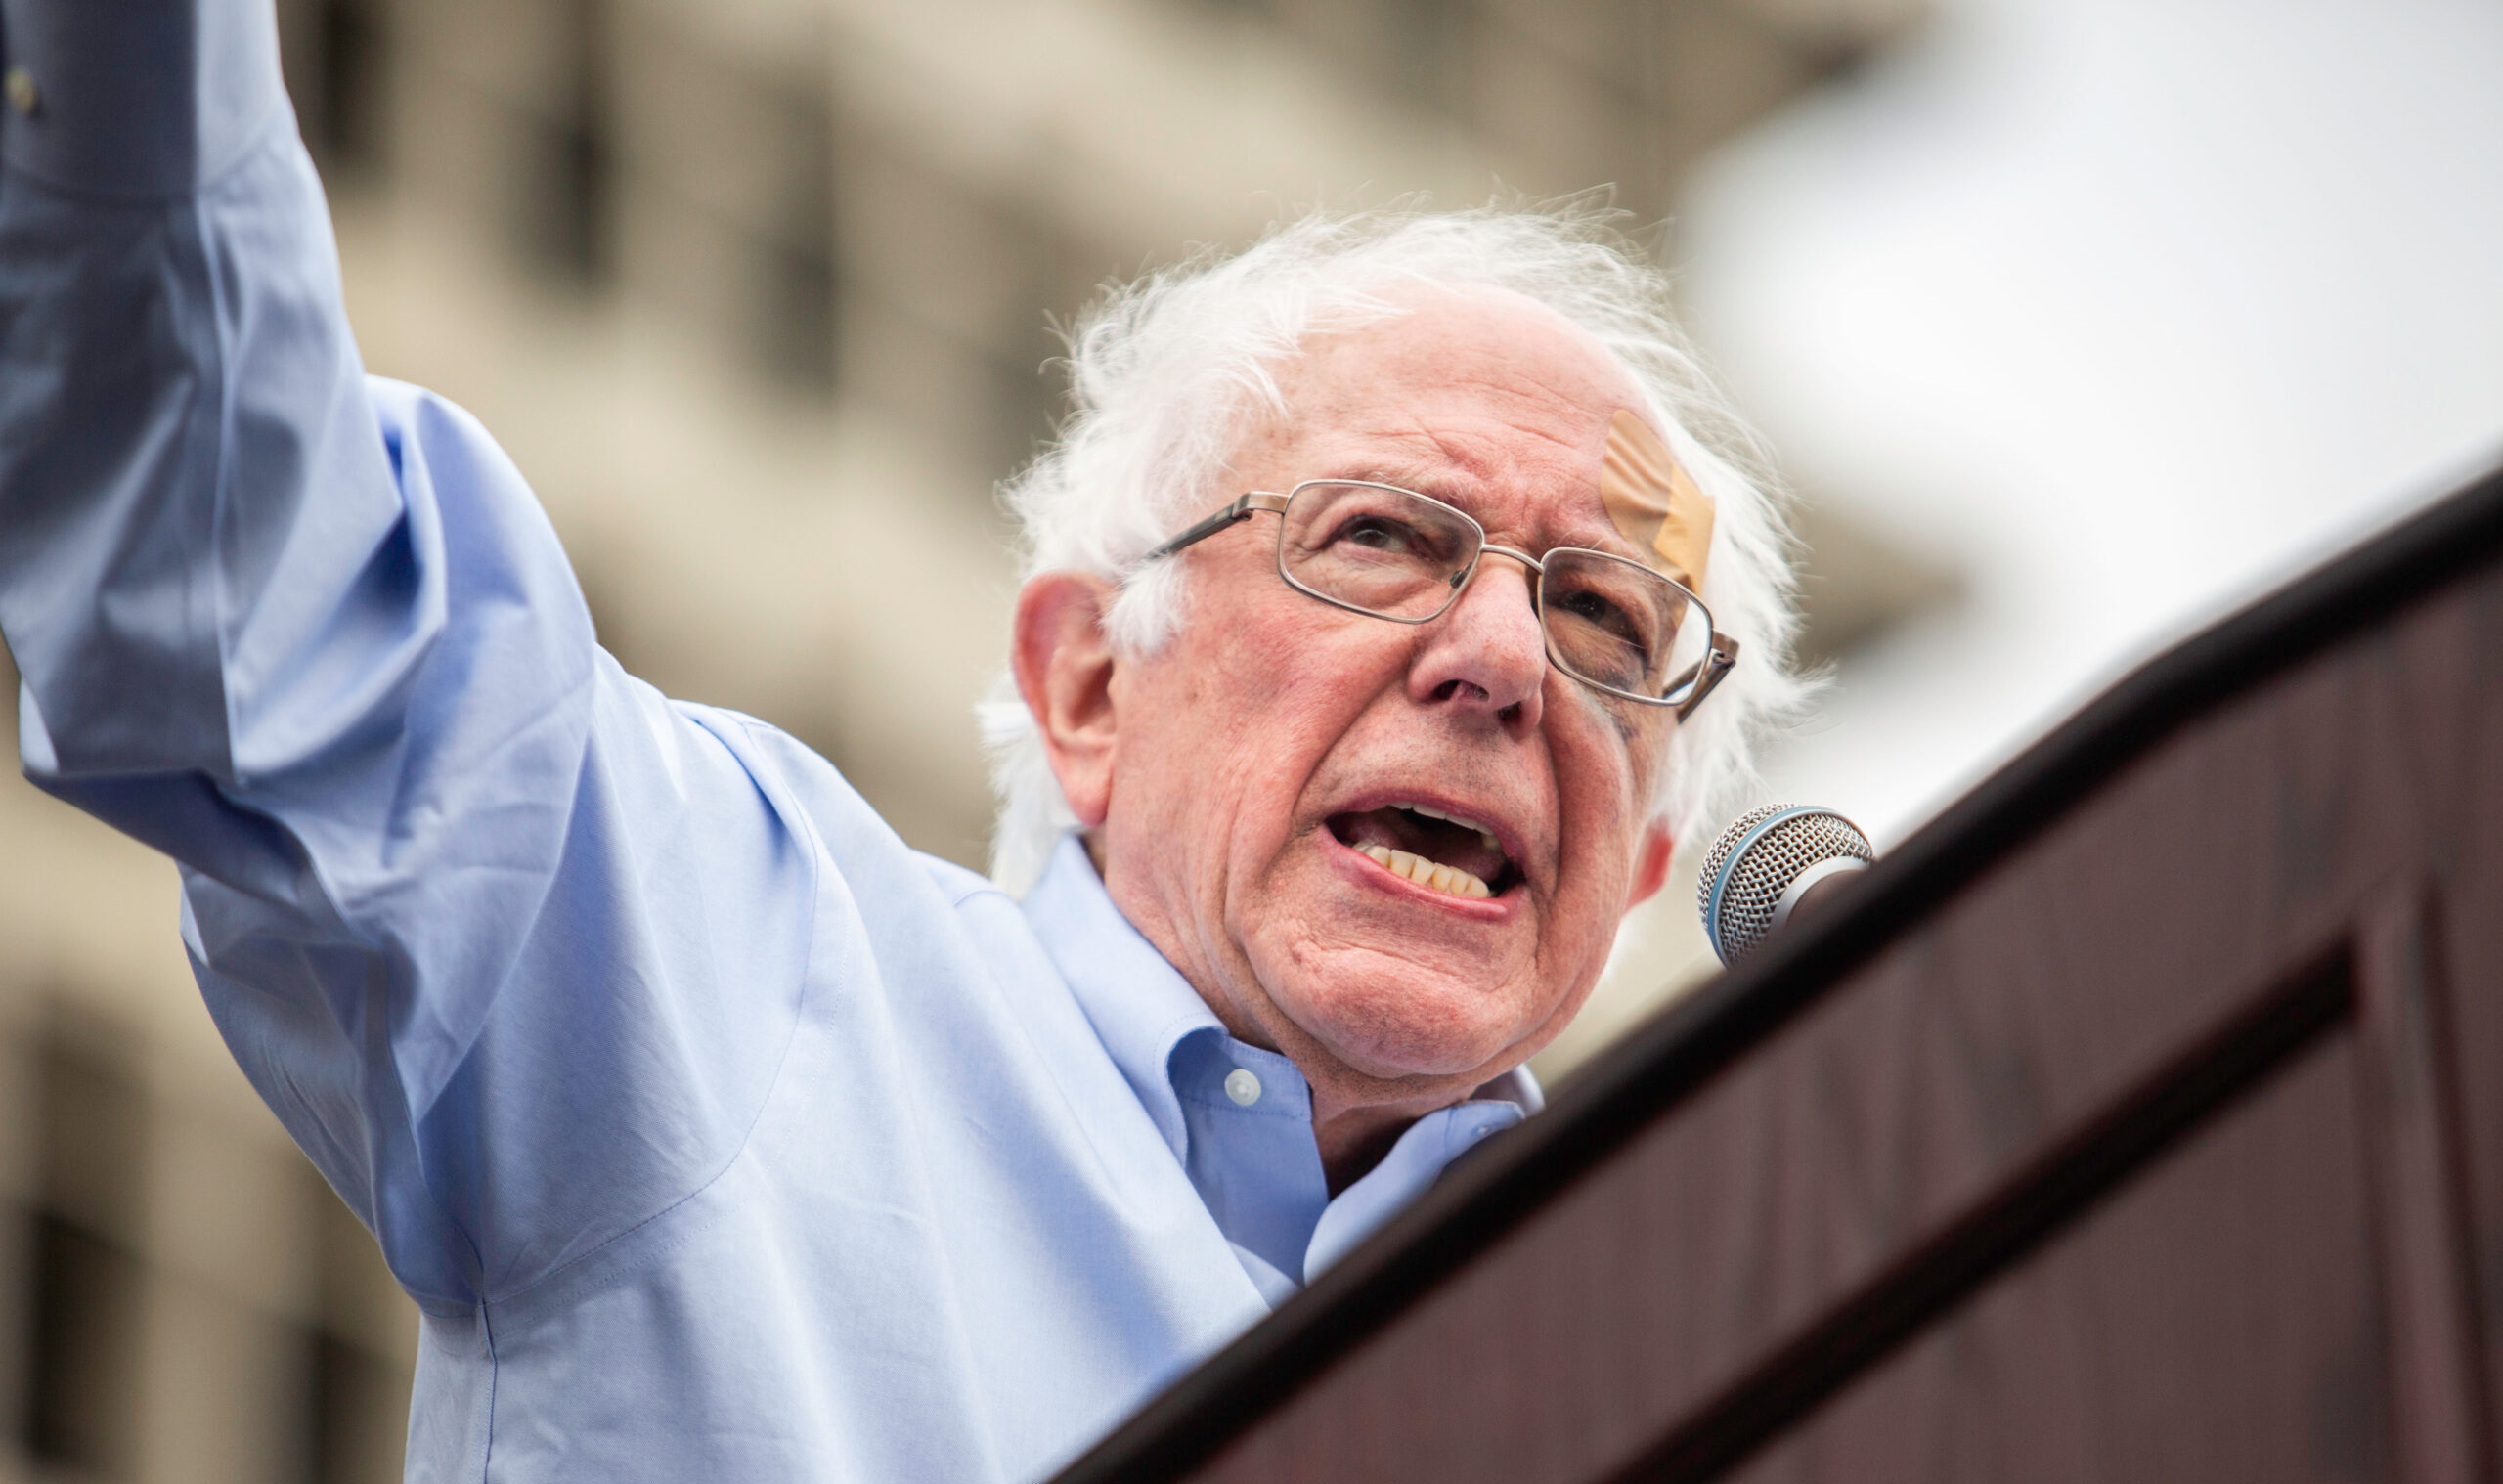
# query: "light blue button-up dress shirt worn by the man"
{"type": "Point", "coordinates": [715, 1132]}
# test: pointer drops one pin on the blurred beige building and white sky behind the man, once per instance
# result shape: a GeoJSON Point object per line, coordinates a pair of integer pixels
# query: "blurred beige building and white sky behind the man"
{"type": "Point", "coordinates": [2071, 319]}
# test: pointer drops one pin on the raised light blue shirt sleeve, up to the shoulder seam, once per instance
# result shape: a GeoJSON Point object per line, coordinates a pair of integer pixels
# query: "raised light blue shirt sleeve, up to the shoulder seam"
{"type": "Point", "coordinates": [507, 940]}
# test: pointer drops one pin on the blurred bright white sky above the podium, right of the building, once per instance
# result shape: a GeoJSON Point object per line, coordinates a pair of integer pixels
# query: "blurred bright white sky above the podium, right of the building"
{"type": "Point", "coordinates": [2126, 309]}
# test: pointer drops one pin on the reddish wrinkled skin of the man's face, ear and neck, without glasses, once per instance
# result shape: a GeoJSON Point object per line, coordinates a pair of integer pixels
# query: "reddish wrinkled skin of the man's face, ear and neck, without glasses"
{"type": "Point", "coordinates": [1210, 772]}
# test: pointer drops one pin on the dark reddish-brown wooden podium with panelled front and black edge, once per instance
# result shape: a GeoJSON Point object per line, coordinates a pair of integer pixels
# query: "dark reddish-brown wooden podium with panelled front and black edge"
{"type": "Point", "coordinates": [2139, 1120]}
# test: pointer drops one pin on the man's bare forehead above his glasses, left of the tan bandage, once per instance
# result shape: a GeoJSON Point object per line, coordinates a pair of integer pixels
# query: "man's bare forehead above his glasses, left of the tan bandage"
{"type": "Point", "coordinates": [1483, 397]}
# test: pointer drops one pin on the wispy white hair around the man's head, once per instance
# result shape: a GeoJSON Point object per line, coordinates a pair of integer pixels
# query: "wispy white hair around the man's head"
{"type": "Point", "coordinates": [1170, 372]}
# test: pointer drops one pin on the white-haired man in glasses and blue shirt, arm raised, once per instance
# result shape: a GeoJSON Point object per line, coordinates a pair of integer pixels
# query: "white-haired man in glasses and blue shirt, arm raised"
{"type": "Point", "coordinates": [715, 1132]}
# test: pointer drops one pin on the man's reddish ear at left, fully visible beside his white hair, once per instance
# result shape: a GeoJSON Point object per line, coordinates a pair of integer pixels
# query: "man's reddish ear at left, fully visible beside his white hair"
{"type": "Point", "coordinates": [1065, 672]}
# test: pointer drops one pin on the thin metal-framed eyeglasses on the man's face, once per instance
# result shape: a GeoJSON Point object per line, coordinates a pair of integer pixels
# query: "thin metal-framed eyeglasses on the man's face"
{"type": "Point", "coordinates": [1385, 552]}
